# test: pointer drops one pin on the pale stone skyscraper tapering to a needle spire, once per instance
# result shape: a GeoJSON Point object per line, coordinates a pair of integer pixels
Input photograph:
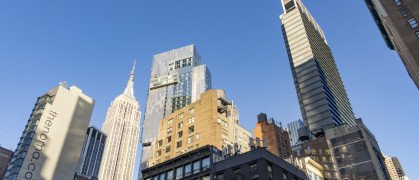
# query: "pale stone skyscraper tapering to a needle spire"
{"type": "Point", "coordinates": [122, 125]}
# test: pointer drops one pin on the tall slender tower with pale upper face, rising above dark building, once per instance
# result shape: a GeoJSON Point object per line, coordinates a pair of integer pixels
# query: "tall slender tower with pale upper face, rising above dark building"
{"type": "Point", "coordinates": [322, 97]}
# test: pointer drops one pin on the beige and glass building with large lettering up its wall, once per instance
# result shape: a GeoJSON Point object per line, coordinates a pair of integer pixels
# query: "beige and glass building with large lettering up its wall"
{"type": "Point", "coordinates": [52, 140]}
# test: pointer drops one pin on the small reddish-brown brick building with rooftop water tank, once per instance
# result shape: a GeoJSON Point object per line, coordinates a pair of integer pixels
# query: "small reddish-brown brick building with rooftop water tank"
{"type": "Point", "coordinates": [278, 140]}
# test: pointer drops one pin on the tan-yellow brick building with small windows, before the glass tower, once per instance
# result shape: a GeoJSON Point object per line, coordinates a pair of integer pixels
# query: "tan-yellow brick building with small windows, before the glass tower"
{"type": "Point", "coordinates": [211, 120]}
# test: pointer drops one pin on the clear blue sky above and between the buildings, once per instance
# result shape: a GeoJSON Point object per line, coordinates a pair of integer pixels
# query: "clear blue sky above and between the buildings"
{"type": "Point", "coordinates": [92, 44]}
